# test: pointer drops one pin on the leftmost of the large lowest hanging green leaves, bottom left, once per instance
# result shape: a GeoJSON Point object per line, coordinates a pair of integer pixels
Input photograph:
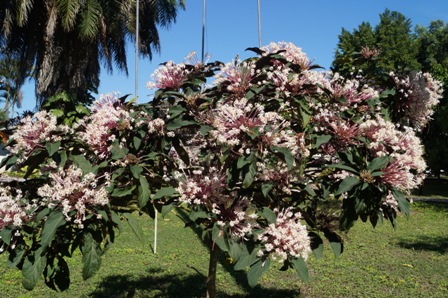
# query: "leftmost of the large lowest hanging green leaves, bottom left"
{"type": "Point", "coordinates": [33, 268]}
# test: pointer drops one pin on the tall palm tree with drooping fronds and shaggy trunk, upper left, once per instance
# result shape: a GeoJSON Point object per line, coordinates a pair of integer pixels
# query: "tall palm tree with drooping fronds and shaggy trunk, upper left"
{"type": "Point", "coordinates": [67, 40]}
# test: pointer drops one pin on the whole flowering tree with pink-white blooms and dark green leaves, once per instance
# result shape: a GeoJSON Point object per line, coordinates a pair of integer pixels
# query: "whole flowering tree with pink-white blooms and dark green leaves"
{"type": "Point", "coordinates": [269, 160]}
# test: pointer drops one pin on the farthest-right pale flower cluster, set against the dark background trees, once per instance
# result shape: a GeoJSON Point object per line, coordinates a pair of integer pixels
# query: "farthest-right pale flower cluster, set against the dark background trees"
{"type": "Point", "coordinates": [418, 94]}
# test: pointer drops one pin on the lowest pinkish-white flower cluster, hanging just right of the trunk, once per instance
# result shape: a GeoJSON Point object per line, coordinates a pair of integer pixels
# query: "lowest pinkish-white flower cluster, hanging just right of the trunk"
{"type": "Point", "coordinates": [287, 237]}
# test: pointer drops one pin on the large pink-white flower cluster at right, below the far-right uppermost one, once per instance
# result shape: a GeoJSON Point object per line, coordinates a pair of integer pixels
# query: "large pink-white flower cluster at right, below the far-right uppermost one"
{"type": "Point", "coordinates": [405, 171]}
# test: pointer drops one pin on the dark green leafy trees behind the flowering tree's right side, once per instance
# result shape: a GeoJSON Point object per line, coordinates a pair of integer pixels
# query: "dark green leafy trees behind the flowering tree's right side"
{"type": "Point", "coordinates": [393, 46]}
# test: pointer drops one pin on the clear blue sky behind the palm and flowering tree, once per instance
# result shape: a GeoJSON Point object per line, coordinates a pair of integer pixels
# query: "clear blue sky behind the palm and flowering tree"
{"type": "Point", "coordinates": [232, 26]}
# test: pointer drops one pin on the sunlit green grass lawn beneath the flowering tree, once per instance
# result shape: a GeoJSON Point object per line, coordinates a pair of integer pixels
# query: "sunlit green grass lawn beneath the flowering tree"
{"type": "Point", "coordinates": [410, 261]}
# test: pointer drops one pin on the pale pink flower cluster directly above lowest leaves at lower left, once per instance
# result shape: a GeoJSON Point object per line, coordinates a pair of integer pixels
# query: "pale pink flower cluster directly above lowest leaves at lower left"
{"type": "Point", "coordinates": [76, 194]}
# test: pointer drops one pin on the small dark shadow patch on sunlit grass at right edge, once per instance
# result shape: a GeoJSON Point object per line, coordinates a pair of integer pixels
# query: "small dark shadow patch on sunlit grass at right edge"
{"type": "Point", "coordinates": [437, 244]}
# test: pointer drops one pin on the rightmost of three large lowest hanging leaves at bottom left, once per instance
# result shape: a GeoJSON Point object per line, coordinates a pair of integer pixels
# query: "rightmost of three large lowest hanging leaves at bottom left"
{"type": "Point", "coordinates": [91, 256]}
